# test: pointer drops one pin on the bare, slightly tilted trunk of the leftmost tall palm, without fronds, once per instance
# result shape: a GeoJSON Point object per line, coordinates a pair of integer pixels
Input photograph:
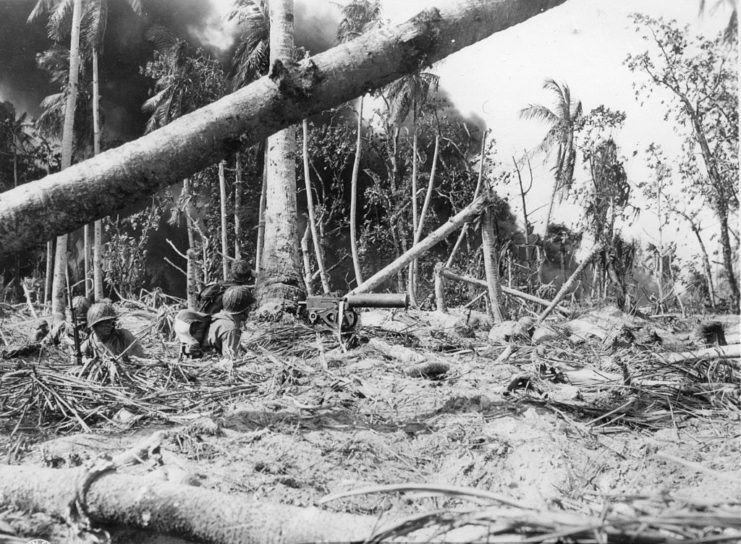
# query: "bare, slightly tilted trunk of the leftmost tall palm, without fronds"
{"type": "Point", "coordinates": [60, 260]}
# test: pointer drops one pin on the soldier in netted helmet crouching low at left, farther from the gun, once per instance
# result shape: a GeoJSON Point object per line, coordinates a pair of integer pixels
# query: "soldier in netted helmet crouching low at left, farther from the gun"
{"type": "Point", "coordinates": [106, 338]}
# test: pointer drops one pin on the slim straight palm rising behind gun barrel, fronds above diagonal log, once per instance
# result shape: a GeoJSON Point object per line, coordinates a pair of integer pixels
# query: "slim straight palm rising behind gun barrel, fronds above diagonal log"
{"type": "Point", "coordinates": [359, 16]}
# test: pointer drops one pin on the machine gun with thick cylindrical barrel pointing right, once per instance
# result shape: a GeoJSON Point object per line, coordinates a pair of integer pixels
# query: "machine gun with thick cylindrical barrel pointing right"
{"type": "Point", "coordinates": [338, 313]}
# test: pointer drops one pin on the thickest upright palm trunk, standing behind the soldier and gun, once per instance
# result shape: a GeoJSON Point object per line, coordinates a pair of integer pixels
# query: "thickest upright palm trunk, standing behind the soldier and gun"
{"type": "Point", "coordinates": [279, 282]}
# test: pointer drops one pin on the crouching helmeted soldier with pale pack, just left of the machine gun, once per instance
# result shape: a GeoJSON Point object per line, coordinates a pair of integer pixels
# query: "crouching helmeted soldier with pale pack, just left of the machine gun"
{"type": "Point", "coordinates": [199, 332]}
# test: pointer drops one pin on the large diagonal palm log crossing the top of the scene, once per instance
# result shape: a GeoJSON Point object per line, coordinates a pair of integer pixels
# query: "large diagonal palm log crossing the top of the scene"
{"type": "Point", "coordinates": [116, 179]}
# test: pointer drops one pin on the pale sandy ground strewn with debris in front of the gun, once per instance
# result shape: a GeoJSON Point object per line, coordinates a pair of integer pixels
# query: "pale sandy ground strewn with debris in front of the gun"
{"type": "Point", "coordinates": [309, 431]}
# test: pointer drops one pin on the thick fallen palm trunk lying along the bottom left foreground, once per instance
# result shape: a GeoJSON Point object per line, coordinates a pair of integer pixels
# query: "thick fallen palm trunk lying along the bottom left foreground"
{"type": "Point", "coordinates": [200, 515]}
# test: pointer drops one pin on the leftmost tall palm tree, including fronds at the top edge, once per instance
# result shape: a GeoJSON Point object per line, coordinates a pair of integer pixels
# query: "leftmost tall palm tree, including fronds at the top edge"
{"type": "Point", "coordinates": [54, 25]}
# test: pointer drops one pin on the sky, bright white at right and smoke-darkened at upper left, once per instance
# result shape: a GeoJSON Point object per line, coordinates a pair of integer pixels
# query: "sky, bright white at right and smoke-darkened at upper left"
{"type": "Point", "coordinates": [582, 43]}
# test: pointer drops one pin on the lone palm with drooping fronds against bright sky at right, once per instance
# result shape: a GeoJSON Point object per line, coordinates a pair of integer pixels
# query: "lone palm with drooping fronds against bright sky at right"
{"type": "Point", "coordinates": [561, 122]}
